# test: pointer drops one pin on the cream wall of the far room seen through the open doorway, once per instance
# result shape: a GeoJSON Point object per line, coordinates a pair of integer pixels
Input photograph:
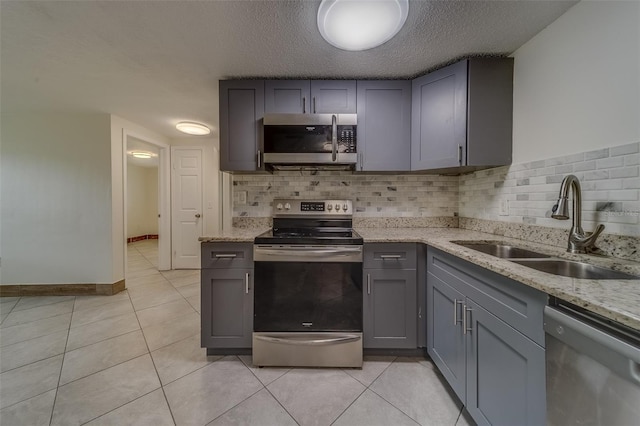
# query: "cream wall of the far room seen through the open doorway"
{"type": "Point", "coordinates": [142, 200]}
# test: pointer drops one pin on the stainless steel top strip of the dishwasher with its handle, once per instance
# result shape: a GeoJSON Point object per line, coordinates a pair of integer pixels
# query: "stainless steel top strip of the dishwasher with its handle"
{"type": "Point", "coordinates": [595, 342]}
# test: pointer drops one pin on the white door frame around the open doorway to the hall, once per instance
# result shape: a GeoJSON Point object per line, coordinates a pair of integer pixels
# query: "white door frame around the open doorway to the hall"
{"type": "Point", "coordinates": [164, 198]}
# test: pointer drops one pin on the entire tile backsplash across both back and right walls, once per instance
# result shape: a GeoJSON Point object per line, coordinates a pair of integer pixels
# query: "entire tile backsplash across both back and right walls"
{"type": "Point", "coordinates": [518, 194]}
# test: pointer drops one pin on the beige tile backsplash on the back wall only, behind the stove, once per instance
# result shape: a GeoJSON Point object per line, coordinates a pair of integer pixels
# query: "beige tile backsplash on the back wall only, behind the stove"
{"type": "Point", "coordinates": [373, 195]}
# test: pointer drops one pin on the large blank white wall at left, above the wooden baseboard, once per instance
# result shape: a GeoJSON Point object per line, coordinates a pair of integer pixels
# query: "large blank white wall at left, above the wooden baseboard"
{"type": "Point", "coordinates": [56, 198]}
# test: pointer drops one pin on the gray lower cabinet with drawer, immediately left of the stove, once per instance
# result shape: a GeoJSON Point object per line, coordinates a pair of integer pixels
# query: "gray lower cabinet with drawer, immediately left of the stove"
{"type": "Point", "coordinates": [226, 296]}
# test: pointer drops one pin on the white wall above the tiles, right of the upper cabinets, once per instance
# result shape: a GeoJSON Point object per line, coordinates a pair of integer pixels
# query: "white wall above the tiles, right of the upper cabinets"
{"type": "Point", "coordinates": [577, 83]}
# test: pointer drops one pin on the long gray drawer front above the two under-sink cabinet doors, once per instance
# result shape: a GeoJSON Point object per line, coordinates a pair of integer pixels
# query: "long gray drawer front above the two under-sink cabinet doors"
{"type": "Point", "coordinates": [518, 305]}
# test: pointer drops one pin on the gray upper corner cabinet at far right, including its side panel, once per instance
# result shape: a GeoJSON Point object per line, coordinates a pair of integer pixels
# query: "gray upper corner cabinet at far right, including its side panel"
{"type": "Point", "coordinates": [462, 115]}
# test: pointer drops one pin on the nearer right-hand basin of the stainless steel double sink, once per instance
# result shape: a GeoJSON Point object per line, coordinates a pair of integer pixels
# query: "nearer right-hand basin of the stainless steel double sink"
{"type": "Point", "coordinates": [569, 268]}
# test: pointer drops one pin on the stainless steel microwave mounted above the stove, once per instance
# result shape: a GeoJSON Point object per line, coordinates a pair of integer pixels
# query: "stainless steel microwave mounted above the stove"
{"type": "Point", "coordinates": [310, 140]}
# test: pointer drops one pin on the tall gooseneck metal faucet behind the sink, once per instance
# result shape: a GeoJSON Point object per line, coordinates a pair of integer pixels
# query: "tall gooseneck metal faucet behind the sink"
{"type": "Point", "coordinates": [579, 241]}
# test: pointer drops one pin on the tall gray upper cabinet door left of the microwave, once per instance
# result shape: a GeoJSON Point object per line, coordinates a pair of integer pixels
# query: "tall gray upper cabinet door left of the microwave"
{"type": "Point", "coordinates": [241, 112]}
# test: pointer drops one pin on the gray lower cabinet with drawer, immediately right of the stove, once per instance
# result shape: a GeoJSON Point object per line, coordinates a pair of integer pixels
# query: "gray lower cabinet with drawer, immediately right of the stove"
{"type": "Point", "coordinates": [390, 308]}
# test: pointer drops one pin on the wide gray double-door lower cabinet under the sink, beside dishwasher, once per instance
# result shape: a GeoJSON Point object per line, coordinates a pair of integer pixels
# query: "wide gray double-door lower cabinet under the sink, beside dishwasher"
{"type": "Point", "coordinates": [485, 335]}
